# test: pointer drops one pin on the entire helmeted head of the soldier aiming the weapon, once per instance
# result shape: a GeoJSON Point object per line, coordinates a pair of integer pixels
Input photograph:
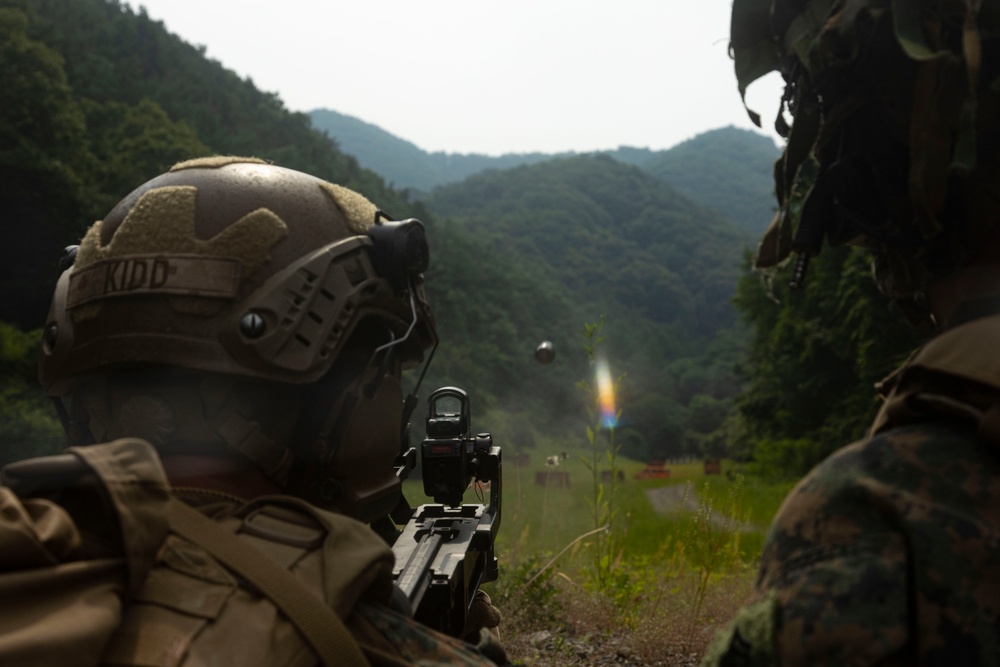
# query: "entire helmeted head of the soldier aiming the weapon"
{"type": "Point", "coordinates": [230, 305]}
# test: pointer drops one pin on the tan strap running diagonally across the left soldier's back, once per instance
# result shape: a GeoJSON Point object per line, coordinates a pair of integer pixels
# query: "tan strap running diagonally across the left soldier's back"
{"type": "Point", "coordinates": [321, 627]}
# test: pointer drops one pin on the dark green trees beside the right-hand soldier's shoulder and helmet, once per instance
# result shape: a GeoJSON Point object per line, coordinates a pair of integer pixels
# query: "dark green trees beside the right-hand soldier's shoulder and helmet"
{"type": "Point", "coordinates": [832, 341]}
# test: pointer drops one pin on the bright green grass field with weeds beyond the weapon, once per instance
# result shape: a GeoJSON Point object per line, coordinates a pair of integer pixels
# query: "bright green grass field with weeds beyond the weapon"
{"type": "Point", "coordinates": [680, 567]}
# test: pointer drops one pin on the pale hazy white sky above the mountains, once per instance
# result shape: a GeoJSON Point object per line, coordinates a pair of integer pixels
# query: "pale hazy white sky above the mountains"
{"type": "Point", "coordinates": [467, 76]}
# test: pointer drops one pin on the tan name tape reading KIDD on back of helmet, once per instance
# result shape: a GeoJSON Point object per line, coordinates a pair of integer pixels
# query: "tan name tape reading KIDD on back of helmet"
{"type": "Point", "coordinates": [189, 275]}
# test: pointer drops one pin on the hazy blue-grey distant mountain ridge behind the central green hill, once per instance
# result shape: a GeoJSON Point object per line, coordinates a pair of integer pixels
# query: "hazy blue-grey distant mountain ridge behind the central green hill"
{"type": "Point", "coordinates": [728, 169]}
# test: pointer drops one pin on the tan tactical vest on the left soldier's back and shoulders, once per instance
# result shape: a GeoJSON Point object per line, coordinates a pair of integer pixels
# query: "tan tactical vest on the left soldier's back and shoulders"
{"type": "Point", "coordinates": [88, 530]}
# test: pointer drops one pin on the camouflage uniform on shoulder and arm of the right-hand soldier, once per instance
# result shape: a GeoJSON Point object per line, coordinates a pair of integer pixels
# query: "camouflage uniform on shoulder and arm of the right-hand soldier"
{"type": "Point", "coordinates": [889, 552]}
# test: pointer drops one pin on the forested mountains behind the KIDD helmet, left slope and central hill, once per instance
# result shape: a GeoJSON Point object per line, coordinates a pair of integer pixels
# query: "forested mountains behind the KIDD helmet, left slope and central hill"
{"type": "Point", "coordinates": [99, 98]}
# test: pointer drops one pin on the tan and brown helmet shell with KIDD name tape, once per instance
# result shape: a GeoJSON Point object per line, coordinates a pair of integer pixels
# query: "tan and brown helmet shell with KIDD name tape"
{"type": "Point", "coordinates": [228, 265]}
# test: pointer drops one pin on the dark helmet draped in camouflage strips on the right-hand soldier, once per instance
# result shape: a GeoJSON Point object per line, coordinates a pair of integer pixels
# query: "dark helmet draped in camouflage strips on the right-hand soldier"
{"type": "Point", "coordinates": [895, 143]}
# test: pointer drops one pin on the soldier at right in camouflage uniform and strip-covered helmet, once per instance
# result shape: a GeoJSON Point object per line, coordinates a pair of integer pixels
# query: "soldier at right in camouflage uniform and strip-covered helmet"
{"type": "Point", "coordinates": [887, 553]}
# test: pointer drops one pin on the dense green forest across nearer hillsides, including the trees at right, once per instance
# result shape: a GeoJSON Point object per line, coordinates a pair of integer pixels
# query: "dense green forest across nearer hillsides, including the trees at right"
{"type": "Point", "coordinates": [98, 98]}
